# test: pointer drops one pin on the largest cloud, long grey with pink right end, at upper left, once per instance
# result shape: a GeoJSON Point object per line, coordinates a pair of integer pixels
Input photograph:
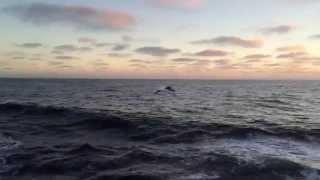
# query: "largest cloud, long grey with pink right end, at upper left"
{"type": "Point", "coordinates": [77, 17]}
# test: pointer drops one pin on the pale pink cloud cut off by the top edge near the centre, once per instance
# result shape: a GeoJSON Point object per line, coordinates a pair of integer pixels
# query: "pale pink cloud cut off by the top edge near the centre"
{"type": "Point", "coordinates": [185, 4]}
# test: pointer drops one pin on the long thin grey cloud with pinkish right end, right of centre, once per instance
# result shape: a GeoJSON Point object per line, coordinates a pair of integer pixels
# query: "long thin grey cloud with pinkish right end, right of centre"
{"type": "Point", "coordinates": [232, 40]}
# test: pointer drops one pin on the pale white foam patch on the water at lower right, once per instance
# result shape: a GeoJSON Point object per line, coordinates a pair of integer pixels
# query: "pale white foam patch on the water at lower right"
{"type": "Point", "coordinates": [253, 148]}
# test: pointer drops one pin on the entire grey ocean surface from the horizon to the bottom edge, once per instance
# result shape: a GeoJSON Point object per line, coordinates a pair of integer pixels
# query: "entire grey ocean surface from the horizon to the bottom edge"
{"type": "Point", "coordinates": [121, 129]}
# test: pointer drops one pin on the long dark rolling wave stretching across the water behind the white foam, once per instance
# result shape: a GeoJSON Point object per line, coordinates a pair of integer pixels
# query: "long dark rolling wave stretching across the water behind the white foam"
{"type": "Point", "coordinates": [144, 127]}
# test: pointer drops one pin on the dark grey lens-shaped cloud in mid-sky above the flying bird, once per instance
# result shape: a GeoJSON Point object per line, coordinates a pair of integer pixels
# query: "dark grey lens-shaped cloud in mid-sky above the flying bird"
{"type": "Point", "coordinates": [156, 51]}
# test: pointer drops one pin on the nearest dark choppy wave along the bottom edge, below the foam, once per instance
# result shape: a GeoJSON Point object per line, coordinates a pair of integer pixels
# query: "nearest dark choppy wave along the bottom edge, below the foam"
{"type": "Point", "coordinates": [94, 163]}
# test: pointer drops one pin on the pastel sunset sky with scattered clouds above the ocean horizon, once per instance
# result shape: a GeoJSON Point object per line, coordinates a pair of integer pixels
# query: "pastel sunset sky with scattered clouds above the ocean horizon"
{"type": "Point", "coordinates": [160, 39]}
